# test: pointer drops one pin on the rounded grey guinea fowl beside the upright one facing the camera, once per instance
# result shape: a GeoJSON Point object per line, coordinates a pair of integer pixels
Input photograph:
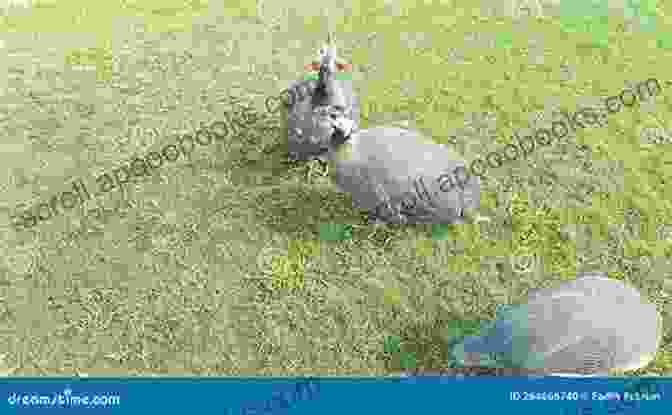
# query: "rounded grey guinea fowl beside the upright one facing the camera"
{"type": "Point", "coordinates": [396, 173]}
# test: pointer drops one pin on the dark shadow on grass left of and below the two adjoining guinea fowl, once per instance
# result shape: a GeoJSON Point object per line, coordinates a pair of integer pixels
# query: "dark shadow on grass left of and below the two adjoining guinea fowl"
{"type": "Point", "coordinates": [256, 154]}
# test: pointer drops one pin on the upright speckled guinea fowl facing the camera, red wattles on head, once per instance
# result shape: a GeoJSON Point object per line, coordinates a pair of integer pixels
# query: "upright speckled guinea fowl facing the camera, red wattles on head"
{"type": "Point", "coordinates": [313, 103]}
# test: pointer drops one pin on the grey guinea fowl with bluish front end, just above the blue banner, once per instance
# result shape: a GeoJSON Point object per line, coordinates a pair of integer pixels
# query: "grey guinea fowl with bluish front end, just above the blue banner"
{"type": "Point", "coordinates": [591, 325]}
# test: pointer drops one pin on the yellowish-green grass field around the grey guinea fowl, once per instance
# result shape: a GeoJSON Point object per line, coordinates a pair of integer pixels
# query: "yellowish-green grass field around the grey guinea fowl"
{"type": "Point", "coordinates": [233, 262]}
